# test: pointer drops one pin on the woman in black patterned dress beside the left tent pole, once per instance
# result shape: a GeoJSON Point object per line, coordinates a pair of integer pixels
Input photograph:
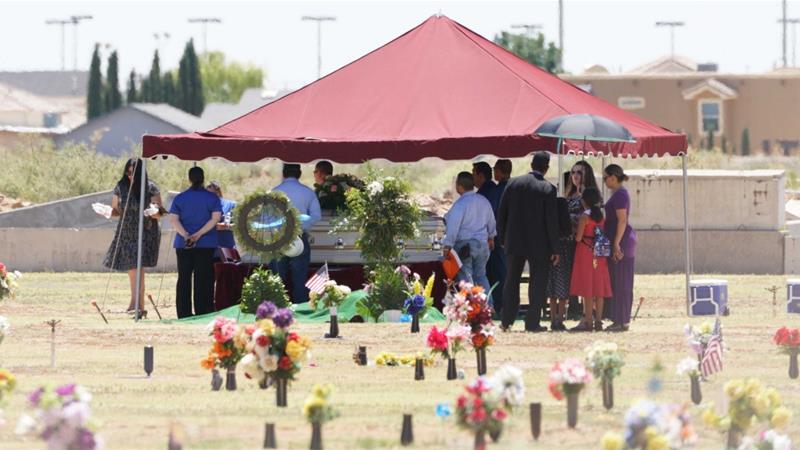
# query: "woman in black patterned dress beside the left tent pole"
{"type": "Point", "coordinates": [123, 252]}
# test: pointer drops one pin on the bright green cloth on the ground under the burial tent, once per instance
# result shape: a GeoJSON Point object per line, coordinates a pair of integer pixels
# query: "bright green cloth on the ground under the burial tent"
{"type": "Point", "coordinates": [302, 313]}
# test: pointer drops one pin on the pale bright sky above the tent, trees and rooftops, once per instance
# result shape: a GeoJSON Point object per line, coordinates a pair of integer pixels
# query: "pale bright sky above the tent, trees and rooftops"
{"type": "Point", "coordinates": [742, 36]}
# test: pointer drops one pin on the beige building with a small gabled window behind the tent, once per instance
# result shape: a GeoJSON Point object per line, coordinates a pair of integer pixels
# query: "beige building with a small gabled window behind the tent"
{"type": "Point", "coordinates": [686, 97]}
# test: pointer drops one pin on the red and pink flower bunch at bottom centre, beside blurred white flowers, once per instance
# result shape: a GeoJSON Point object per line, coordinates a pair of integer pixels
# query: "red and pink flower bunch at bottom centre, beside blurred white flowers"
{"type": "Point", "coordinates": [480, 410]}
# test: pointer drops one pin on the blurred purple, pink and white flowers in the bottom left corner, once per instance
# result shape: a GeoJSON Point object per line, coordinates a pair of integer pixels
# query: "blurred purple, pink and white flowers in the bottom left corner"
{"type": "Point", "coordinates": [62, 418]}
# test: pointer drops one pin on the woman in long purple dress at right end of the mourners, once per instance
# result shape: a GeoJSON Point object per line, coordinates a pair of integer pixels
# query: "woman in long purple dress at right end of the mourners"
{"type": "Point", "coordinates": [623, 238]}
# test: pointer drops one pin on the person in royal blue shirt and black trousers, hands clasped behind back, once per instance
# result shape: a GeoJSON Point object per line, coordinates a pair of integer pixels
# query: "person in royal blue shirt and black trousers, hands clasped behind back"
{"type": "Point", "coordinates": [194, 214]}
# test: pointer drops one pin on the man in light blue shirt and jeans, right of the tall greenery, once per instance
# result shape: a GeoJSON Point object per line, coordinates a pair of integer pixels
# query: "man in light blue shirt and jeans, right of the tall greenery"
{"type": "Point", "coordinates": [470, 231]}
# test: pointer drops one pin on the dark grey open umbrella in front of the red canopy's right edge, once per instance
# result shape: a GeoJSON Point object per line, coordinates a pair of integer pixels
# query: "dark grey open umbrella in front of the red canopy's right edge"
{"type": "Point", "coordinates": [588, 127]}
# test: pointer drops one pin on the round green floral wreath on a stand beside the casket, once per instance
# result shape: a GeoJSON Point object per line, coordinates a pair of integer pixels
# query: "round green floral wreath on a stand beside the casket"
{"type": "Point", "coordinates": [268, 245]}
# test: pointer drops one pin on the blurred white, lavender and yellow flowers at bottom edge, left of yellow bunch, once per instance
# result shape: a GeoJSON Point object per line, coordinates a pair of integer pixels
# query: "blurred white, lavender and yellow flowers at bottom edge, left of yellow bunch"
{"type": "Point", "coordinates": [650, 425]}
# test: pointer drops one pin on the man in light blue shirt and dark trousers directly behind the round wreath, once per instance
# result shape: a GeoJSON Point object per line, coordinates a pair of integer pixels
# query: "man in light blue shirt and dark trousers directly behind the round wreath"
{"type": "Point", "coordinates": [305, 201]}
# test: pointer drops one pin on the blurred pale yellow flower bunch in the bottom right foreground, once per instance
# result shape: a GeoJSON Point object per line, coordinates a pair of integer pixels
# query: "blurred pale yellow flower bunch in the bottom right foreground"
{"type": "Point", "coordinates": [749, 402]}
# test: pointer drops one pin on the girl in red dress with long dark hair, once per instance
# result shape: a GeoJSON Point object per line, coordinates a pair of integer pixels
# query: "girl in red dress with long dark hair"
{"type": "Point", "coordinates": [590, 278]}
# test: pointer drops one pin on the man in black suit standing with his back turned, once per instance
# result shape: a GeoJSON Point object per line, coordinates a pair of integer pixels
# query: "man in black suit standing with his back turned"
{"type": "Point", "coordinates": [528, 229]}
